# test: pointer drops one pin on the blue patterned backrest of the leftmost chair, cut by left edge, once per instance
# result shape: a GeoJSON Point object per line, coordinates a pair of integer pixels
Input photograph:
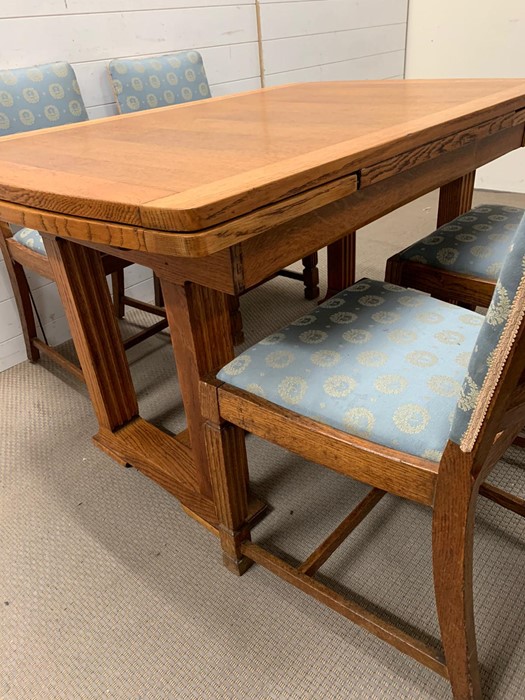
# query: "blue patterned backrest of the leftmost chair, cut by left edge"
{"type": "Point", "coordinates": [39, 97]}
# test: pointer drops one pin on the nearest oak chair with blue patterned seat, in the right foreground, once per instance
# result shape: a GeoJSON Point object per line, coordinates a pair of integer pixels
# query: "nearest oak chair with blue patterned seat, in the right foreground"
{"type": "Point", "coordinates": [409, 394]}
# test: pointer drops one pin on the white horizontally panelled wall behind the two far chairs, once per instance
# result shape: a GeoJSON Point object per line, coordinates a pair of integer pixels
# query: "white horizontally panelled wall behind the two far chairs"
{"type": "Point", "coordinates": [300, 40]}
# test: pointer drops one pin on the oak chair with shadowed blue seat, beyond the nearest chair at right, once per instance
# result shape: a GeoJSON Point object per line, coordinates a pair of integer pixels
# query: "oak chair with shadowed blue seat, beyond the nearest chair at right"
{"type": "Point", "coordinates": [460, 261]}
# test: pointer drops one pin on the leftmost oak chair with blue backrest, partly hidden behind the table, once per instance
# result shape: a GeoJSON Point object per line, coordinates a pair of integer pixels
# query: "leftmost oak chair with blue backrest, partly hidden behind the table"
{"type": "Point", "coordinates": [36, 98]}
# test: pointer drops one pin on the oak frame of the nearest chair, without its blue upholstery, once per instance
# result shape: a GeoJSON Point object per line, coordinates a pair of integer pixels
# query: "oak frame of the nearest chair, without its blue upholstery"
{"type": "Point", "coordinates": [449, 487]}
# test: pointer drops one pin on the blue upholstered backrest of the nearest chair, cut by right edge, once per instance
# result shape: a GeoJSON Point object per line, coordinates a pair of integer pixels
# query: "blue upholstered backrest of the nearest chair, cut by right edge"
{"type": "Point", "coordinates": [497, 344]}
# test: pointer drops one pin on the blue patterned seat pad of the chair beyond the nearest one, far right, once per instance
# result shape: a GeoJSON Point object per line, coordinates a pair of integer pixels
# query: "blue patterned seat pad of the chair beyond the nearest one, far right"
{"type": "Point", "coordinates": [474, 243]}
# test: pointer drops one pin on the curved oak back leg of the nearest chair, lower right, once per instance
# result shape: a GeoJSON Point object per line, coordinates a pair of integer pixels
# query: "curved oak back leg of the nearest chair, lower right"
{"type": "Point", "coordinates": [452, 547]}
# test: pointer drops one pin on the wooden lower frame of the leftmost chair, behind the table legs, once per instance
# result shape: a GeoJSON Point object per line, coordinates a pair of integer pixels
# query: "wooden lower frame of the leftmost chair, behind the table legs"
{"type": "Point", "coordinates": [17, 257]}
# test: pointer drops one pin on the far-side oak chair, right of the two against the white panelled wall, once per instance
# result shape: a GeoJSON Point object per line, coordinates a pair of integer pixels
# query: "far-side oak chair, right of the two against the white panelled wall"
{"type": "Point", "coordinates": [160, 81]}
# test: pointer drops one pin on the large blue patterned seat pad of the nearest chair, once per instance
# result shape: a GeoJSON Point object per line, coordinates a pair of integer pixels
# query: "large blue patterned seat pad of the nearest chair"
{"type": "Point", "coordinates": [377, 360]}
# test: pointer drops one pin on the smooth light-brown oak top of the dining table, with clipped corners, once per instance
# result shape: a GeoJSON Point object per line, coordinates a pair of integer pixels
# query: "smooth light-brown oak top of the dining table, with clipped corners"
{"type": "Point", "coordinates": [190, 167]}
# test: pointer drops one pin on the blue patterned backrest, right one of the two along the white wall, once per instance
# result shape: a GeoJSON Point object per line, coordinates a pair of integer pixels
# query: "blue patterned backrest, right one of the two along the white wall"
{"type": "Point", "coordinates": [145, 83]}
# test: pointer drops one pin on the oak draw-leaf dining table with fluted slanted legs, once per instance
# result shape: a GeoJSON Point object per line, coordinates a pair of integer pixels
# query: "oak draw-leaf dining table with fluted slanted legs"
{"type": "Point", "coordinates": [218, 195]}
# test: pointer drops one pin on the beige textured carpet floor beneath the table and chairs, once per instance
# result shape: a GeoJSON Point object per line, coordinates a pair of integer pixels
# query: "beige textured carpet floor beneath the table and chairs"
{"type": "Point", "coordinates": [108, 590]}
